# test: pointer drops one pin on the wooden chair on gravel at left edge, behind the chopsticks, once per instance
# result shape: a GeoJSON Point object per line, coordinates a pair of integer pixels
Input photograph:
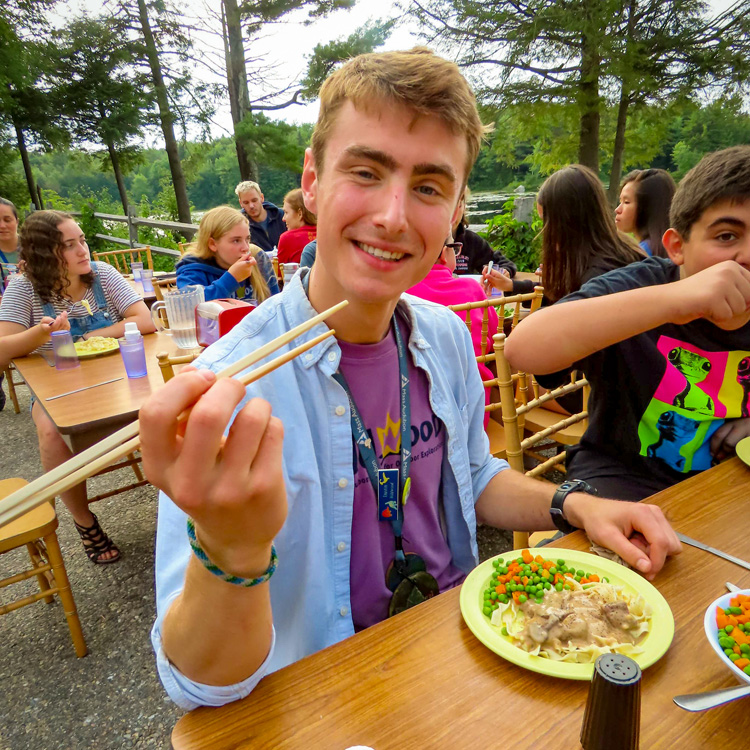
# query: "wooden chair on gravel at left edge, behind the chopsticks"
{"type": "Point", "coordinates": [37, 531]}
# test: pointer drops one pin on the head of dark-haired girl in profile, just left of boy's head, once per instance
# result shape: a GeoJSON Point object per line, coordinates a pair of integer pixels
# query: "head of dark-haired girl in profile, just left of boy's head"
{"type": "Point", "coordinates": [645, 199]}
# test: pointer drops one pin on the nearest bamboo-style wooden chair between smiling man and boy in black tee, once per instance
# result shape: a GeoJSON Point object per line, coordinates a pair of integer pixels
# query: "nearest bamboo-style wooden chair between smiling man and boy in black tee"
{"type": "Point", "coordinates": [515, 408]}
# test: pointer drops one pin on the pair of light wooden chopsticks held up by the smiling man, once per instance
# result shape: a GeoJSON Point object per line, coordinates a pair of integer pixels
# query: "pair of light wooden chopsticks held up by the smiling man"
{"type": "Point", "coordinates": [126, 440]}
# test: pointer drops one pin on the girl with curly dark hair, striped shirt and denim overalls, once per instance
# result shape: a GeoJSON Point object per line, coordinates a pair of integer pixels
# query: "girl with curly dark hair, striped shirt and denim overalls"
{"type": "Point", "coordinates": [60, 288]}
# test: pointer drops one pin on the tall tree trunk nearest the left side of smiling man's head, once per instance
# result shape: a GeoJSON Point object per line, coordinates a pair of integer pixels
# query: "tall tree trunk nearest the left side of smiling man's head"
{"type": "Point", "coordinates": [239, 98]}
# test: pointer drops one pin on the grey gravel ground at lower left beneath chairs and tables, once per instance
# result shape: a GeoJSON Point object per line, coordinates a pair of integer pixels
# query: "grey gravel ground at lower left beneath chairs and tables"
{"type": "Point", "coordinates": [112, 697]}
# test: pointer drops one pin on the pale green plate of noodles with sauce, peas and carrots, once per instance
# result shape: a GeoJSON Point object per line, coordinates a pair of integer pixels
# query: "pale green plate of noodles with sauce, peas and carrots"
{"type": "Point", "coordinates": [556, 612]}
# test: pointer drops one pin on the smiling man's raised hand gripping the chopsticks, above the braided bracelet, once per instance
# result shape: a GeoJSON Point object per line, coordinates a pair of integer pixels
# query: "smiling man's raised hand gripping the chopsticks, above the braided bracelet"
{"type": "Point", "coordinates": [232, 488]}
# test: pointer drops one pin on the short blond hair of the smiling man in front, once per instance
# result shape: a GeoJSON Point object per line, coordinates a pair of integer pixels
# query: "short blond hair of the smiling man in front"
{"type": "Point", "coordinates": [418, 79]}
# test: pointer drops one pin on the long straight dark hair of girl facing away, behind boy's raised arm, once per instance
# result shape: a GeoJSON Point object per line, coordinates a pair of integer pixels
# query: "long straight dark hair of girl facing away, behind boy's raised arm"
{"type": "Point", "coordinates": [579, 236]}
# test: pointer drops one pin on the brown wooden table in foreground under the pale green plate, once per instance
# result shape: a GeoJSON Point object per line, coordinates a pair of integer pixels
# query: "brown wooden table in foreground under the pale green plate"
{"type": "Point", "coordinates": [422, 681]}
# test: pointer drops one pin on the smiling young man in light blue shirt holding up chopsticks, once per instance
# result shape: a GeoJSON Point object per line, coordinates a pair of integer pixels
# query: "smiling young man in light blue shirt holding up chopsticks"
{"type": "Point", "coordinates": [396, 138]}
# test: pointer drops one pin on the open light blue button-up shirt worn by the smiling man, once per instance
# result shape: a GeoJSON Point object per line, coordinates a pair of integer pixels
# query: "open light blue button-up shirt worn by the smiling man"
{"type": "Point", "coordinates": [310, 589]}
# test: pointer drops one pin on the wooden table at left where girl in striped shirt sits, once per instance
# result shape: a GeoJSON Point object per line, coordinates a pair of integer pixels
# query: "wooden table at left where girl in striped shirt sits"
{"type": "Point", "coordinates": [84, 418]}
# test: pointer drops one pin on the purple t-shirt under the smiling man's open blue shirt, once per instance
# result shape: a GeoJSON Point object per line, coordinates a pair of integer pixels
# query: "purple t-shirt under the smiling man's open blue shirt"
{"type": "Point", "coordinates": [371, 371]}
